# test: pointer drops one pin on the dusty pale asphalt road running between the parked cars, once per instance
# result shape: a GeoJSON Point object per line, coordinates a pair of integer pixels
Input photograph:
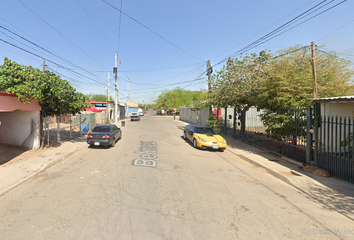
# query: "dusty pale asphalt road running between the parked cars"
{"type": "Point", "coordinates": [155, 185]}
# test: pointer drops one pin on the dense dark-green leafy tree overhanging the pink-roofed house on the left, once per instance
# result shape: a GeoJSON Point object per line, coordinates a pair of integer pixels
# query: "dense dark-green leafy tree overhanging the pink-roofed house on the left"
{"type": "Point", "coordinates": [54, 95]}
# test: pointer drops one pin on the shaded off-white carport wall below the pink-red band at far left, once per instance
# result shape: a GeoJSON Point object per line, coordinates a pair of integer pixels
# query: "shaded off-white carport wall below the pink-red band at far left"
{"type": "Point", "coordinates": [16, 127]}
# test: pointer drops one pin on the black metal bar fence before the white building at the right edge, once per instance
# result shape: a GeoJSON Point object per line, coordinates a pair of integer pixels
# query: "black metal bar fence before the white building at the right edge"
{"type": "Point", "coordinates": [334, 146]}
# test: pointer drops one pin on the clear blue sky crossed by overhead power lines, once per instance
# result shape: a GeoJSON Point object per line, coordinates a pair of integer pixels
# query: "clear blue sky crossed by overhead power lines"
{"type": "Point", "coordinates": [162, 44]}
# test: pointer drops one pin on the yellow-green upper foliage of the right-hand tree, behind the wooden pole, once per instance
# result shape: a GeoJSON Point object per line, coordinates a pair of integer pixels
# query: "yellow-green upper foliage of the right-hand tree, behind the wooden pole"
{"type": "Point", "coordinates": [289, 83]}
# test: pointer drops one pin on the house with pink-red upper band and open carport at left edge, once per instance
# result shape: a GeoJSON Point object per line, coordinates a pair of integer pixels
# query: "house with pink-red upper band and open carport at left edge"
{"type": "Point", "coordinates": [19, 122]}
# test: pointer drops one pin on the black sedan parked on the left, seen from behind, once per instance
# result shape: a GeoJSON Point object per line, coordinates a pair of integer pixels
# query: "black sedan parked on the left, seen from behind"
{"type": "Point", "coordinates": [104, 135]}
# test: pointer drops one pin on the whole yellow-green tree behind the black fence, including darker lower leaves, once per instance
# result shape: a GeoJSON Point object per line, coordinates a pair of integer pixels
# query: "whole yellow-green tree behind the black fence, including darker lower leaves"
{"type": "Point", "coordinates": [287, 88]}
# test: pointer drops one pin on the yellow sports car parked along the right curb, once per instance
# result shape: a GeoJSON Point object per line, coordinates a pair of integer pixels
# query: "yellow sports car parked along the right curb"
{"type": "Point", "coordinates": [204, 137]}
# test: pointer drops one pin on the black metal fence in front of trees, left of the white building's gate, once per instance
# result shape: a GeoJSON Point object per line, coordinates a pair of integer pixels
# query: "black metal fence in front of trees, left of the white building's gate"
{"type": "Point", "coordinates": [284, 134]}
